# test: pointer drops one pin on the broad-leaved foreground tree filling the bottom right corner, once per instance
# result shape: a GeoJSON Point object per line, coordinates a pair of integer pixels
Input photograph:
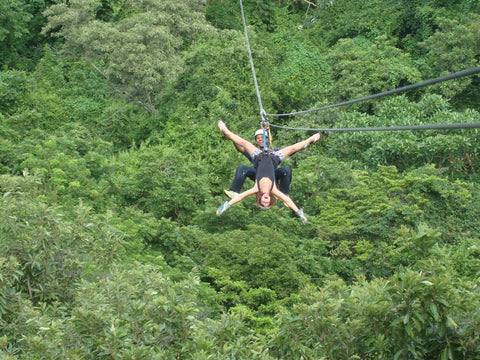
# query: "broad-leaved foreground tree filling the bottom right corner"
{"type": "Point", "coordinates": [412, 315]}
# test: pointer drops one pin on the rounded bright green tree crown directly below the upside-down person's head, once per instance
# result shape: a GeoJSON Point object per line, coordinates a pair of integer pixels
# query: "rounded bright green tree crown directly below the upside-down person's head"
{"type": "Point", "coordinates": [241, 261]}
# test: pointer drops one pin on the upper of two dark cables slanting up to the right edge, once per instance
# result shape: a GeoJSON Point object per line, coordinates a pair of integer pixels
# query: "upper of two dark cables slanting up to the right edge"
{"type": "Point", "coordinates": [390, 92]}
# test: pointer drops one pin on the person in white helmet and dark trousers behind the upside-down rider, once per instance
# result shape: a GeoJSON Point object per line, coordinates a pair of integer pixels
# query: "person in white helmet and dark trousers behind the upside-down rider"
{"type": "Point", "coordinates": [283, 175]}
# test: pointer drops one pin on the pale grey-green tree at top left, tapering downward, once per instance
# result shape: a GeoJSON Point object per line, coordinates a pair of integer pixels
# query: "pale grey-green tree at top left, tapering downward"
{"type": "Point", "coordinates": [140, 53]}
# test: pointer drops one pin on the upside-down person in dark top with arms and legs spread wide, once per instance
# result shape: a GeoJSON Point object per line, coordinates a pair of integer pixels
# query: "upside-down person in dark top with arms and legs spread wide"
{"type": "Point", "coordinates": [265, 162]}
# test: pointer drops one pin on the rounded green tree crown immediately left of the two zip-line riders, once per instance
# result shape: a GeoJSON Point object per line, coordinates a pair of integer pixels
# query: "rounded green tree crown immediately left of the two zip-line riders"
{"type": "Point", "coordinates": [159, 180]}
